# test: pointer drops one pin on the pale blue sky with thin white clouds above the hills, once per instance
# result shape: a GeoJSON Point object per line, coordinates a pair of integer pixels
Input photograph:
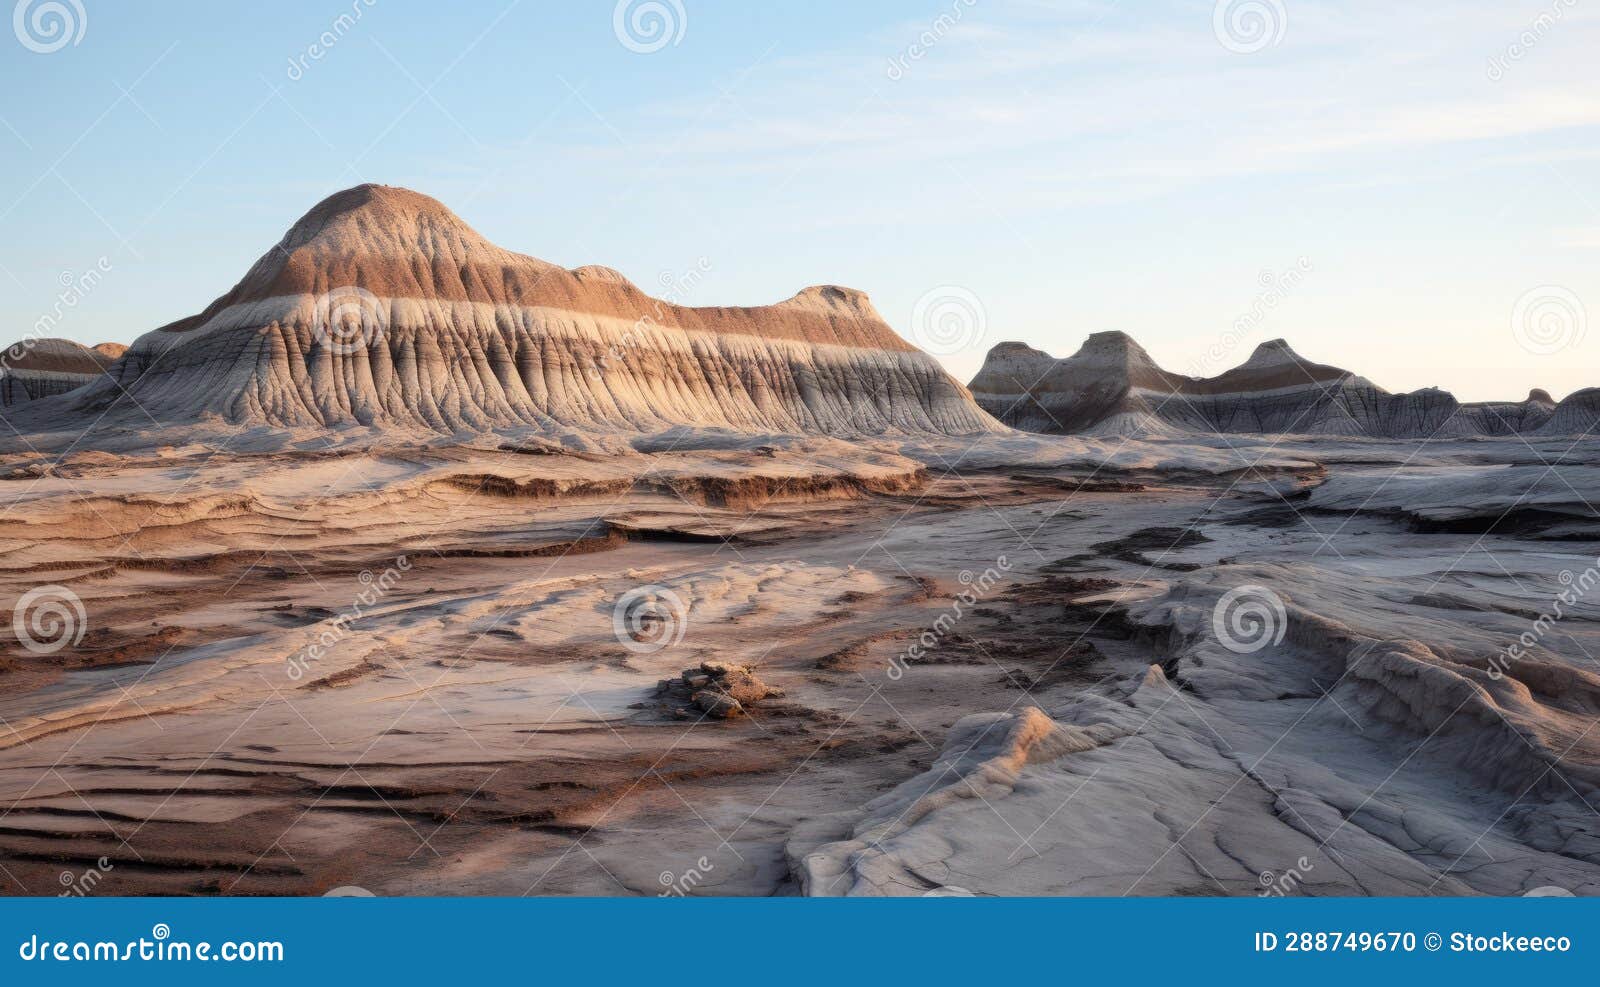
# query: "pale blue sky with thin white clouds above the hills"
{"type": "Point", "coordinates": [1406, 191]}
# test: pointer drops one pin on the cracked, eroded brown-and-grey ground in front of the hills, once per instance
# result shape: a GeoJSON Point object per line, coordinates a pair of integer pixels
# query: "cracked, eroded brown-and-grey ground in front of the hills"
{"type": "Point", "coordinates": [407, 671]}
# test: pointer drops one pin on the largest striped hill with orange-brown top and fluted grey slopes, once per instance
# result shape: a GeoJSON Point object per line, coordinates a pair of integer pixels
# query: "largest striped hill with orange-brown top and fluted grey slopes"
{"type": "Point", "coordinates": [382, 308]}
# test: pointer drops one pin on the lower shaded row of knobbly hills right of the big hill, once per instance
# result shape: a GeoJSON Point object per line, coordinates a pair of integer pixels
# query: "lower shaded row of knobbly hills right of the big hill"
{"type": "Point", "coordinates": [1113, 386]}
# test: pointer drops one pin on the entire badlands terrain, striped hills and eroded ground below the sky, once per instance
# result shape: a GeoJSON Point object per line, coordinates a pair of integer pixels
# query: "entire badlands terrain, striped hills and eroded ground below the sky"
{"type": "Point", "coordinates": [414, 565]}
